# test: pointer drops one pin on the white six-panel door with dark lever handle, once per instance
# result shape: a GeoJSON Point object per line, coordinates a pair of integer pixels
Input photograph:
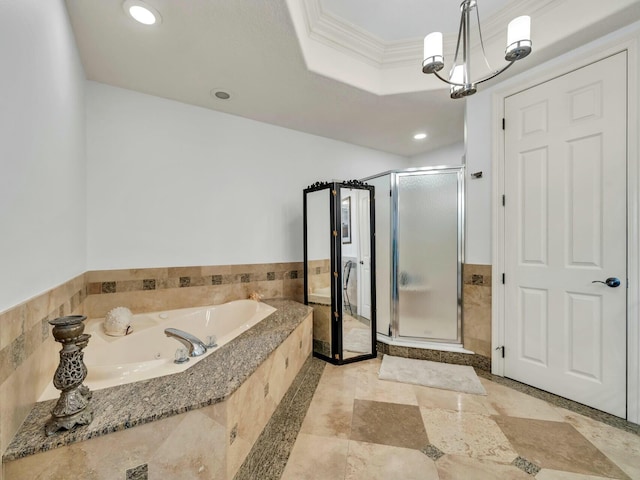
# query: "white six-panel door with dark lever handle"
{"type": "Point", "coordinates": [565, 227]}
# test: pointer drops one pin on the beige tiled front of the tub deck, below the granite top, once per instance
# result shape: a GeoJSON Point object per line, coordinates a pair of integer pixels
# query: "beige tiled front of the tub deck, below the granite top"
{"type": "Point", "coordinates": [210, 442]}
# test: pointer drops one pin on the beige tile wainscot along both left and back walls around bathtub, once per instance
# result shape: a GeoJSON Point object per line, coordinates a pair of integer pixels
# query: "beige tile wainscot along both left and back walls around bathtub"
{"type": "Point", "coordinates": [29, 356]}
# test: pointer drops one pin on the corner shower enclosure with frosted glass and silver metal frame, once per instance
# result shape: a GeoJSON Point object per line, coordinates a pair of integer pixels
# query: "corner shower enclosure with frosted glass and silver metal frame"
{"type": "Point", "coordinates": [419, 249]}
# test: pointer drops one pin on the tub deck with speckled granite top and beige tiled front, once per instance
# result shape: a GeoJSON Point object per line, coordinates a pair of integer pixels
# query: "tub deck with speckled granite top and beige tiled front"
{"type": "Point", "coordinates": [195, 424]}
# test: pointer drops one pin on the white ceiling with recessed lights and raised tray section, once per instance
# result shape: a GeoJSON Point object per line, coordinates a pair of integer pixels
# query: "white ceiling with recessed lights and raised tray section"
{"type": "Point", "coordinates": [250, 48]}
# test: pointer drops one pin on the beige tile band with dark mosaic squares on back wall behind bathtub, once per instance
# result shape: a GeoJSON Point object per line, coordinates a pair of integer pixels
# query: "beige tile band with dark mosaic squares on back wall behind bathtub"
{"type": "Point", "coordinates": [154, 289]}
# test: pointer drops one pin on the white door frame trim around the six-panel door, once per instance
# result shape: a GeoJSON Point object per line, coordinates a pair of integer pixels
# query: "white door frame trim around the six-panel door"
{"type": "Point", "coordinates": [591, 53]}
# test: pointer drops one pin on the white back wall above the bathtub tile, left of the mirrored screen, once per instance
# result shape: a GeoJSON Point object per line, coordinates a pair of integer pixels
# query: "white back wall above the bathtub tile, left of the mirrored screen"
{"type": "Point", "coordinates": [173, 184]}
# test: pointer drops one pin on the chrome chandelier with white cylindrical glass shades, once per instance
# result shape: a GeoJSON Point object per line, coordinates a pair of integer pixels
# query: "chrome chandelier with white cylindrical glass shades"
{"type": "Point", "coordinates": [518, 47]}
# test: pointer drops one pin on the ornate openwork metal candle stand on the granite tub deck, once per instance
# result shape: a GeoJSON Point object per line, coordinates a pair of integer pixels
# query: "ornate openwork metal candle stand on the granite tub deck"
{"type": "Point", "coordinates": [73, 405]}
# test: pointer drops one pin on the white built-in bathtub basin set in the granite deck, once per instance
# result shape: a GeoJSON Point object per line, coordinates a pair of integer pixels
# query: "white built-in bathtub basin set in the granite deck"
{"type": "Point", "coordinates": [148, 353]}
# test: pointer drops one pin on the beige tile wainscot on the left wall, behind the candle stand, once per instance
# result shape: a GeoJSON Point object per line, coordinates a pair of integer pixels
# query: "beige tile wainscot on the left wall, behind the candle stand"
{"type": "Point", "coordinates": [28, 353]}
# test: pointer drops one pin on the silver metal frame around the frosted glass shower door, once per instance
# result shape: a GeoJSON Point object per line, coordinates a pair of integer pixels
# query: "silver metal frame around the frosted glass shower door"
{"type": "Point", "coordinates": [395, 292]}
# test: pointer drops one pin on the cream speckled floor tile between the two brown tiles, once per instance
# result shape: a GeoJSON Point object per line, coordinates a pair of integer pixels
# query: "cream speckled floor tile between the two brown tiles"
{"type": "Point", "coordinates": [469, 434]}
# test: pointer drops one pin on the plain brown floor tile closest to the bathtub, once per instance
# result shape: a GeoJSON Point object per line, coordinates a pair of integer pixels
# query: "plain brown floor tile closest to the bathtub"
{"type": "Point", "coordinates": [388, 424]}
